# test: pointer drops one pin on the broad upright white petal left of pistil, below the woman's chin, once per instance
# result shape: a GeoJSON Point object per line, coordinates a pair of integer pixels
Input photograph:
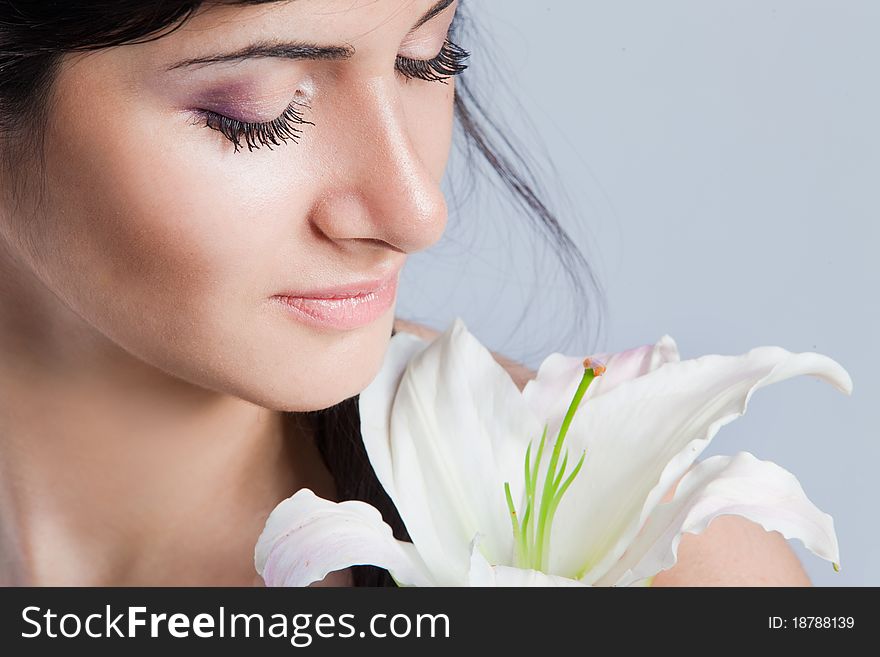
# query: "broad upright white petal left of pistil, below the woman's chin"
{"type": "Point", "coordinates": [445, 426]}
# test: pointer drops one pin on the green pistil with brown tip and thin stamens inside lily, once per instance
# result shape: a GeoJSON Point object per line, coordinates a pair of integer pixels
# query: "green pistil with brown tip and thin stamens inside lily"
{"type": "Point", "coordinates": [532, 533]}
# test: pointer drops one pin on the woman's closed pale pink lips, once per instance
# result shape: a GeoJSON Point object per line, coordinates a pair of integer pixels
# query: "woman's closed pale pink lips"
{"type": "Point", "coordinates": [343, 307]}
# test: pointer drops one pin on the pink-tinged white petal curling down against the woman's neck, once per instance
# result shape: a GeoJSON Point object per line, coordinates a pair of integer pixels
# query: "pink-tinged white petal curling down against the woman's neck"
{"type": "Point", "coordinates": [306, 537]}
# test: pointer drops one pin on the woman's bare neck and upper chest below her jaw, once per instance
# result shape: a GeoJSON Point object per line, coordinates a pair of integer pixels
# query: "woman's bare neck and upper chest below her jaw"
{"type": "Point", "coordinates": [113, 472]}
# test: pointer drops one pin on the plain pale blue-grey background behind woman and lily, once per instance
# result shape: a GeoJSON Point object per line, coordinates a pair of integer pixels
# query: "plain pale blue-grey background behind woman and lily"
{"type": "Point", "coordinates": [718, 163]}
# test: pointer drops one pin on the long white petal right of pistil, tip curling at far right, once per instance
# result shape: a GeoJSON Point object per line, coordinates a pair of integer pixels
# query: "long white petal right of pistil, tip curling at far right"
{"type": "Point", "coordinates": [644, 434]}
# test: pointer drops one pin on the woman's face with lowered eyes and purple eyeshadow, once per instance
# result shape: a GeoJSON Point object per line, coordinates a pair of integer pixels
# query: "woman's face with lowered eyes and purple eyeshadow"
{"type": "Point", "coordinates": [167, 239]}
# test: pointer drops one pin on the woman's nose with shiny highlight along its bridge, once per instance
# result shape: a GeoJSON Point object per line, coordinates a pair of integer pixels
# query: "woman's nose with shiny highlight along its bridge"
{"type": "Point", "coordinates": [382, 180]}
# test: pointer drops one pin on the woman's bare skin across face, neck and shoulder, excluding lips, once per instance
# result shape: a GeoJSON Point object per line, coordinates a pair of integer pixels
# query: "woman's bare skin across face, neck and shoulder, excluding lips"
{"type": "Point", "coordinates": [142, 365]}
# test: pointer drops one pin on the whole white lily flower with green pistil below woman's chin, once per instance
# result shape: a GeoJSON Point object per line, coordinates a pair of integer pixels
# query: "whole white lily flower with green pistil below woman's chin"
{"type": "Point", "coordinates": [472, 466]}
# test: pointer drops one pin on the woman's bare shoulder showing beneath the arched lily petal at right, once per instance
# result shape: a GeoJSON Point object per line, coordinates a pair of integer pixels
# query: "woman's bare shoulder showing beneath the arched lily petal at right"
{"type": "Point", "coordinates": [733, 551]}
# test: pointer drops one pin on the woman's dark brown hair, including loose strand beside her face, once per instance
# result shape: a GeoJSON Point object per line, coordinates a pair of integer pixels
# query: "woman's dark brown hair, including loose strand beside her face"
{"type": "Point", "coordinates": [33, 38]}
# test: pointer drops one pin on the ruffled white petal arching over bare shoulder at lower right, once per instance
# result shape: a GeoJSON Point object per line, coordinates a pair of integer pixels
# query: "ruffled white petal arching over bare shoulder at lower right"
{"type": "Point", "coordinates": [740, 485]}
